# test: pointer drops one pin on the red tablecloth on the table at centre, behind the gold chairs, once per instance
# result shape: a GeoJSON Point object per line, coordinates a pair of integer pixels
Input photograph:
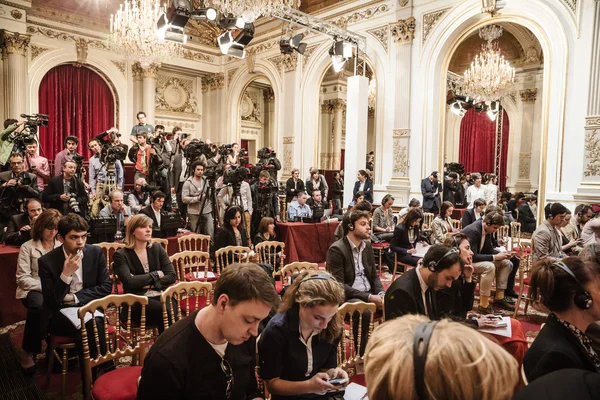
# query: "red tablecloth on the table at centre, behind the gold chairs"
{"type": "Point", "coordinates": [307, 242]}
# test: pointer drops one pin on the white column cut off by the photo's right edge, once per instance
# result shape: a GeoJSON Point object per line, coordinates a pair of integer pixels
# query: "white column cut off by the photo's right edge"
{"type": "Point", "coordinates": [589, 188]}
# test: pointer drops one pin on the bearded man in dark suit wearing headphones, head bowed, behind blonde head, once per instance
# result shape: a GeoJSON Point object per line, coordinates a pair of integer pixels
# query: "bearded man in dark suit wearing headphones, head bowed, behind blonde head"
{"type": "Point", "coordinates": [415, 291]}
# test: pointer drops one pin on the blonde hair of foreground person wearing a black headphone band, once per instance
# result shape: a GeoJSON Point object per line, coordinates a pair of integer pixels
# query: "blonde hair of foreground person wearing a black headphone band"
{"type": "Point", "coordinates": [460, 364]}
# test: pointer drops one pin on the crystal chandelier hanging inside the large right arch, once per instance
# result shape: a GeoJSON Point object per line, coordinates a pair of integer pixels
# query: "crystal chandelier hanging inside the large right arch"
{"type": "Point", "coordinates": [490, 77]}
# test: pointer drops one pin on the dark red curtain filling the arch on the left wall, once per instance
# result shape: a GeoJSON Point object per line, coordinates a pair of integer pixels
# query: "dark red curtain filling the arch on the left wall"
{"type": "Point", "coordinates": [79, 103]}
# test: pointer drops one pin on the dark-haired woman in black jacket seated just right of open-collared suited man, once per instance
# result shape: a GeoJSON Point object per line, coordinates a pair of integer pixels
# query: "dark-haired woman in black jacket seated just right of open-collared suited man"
{"type": "Point", "coordinates": [406, 236]}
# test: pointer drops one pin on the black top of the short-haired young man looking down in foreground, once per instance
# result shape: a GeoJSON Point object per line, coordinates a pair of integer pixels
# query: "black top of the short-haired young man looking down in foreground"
{"type": "Point", "coordinates": [183, 365]}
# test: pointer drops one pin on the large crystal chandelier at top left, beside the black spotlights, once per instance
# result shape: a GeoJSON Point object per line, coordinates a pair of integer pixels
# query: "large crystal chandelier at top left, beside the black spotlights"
{"type": "Point", "coordinates": [133, 33]}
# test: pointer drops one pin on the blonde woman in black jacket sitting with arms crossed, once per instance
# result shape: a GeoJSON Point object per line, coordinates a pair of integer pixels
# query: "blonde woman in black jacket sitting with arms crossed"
{"type": "Point", "coordinates": [144, 269]}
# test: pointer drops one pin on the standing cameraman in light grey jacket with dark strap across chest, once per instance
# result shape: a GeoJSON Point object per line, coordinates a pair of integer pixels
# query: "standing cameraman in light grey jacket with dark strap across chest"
{"type": "Point", "coordinates": [199, 205]}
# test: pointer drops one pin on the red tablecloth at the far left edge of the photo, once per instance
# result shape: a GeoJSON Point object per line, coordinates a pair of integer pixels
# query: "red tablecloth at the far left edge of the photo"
{"type": "Point", "coordinates": [11, 309]}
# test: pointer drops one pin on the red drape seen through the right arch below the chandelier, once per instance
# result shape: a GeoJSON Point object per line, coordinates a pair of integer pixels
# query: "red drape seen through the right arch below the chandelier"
{"type": "Point", "coordinates": [477, 143]}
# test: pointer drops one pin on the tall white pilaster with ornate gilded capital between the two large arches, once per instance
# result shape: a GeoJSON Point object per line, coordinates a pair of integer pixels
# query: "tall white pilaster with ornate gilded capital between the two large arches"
{"type": "Point", "coordinates": [403, 33]}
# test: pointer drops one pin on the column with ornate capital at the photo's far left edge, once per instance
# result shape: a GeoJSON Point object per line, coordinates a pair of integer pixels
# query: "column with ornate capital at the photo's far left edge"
{"type": "Point", "coordinates": [14, 54]}
